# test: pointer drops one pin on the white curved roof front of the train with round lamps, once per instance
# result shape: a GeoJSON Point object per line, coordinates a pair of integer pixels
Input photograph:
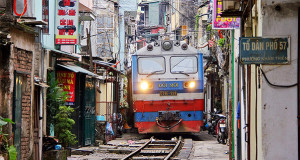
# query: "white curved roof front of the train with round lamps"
{"type": "Point", "coordinates": [178, 47]}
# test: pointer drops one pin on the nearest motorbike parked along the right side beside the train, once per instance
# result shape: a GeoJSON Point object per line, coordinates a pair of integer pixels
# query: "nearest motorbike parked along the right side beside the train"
{"type": "Point", "coordinates": [221, 130]}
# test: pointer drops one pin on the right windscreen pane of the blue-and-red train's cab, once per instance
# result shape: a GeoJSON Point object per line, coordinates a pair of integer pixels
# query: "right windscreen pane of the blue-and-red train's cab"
{"type": "Point", "coordinates": [183, 64]}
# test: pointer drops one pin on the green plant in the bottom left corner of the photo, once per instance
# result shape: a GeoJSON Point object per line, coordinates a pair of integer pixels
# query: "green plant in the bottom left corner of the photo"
{"type": "Point", "coordinates": [12, 152]}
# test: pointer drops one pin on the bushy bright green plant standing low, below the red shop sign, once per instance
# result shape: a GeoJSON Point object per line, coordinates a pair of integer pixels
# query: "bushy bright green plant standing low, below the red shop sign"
{"type": "Point", "coordinates": [63, 125]}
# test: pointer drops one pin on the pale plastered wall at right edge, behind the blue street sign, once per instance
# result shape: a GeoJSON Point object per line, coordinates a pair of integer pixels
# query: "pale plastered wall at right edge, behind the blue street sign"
{"type": "Point", "coordinates": [279, 105]}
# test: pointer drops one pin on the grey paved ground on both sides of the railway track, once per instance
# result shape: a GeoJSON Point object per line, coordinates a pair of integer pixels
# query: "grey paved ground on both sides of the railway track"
{"type": "Point", "coordinates": [204, 147]}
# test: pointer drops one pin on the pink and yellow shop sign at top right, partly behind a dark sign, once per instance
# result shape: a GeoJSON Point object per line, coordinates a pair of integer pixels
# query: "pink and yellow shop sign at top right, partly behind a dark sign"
{"type": "Point", "coordinates": [223, 22]}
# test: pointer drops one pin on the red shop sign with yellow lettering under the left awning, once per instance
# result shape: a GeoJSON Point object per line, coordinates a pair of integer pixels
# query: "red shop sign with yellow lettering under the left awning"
{"type": "Point", "coordinates": [67, 80]}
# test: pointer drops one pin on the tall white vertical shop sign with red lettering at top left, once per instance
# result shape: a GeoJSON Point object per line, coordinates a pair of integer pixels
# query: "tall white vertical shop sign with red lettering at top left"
{"type": "Point", "coordinates": [66, 28]}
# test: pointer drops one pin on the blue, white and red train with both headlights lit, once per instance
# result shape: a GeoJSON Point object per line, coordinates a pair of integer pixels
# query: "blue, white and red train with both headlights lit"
{"type": "Point", "coordinates": [167, 88]}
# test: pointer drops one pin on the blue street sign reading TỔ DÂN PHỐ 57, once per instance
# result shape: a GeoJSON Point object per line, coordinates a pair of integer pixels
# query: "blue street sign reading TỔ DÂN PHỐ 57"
{"type": "Point", "coordinates": [259, 50]}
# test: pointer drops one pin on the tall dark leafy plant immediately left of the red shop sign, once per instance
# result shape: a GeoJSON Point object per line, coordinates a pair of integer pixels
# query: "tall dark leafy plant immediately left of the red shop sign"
{"type": "Point", "coordinates": [56, 97]}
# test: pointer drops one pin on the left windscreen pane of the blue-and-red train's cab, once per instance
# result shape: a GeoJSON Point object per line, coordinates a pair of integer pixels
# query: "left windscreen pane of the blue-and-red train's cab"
{"type": "Point", "coordinates": [151, 65]}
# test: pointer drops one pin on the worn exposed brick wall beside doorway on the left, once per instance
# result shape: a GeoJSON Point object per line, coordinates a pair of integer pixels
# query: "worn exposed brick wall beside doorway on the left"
{"type": "Point", "coordinates": [23, 64]}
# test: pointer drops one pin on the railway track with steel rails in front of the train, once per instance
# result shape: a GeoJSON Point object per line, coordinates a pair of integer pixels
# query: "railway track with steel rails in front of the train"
{"type": "Point", "coordinates": [155, 150]}
